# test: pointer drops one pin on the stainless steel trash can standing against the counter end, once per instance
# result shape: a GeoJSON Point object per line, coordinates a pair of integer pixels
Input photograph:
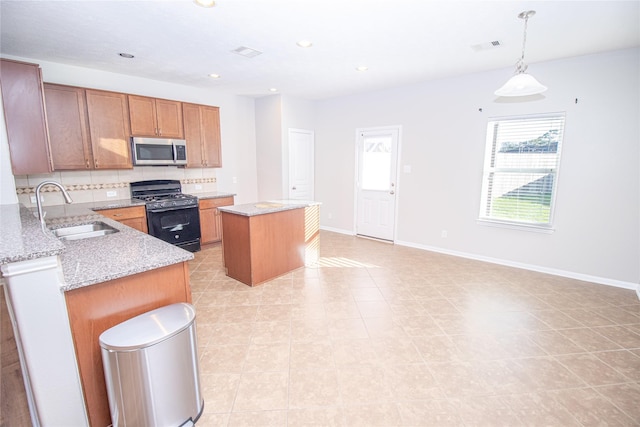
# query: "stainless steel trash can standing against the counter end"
{"type": "Point", "coordinates": [151, 369]}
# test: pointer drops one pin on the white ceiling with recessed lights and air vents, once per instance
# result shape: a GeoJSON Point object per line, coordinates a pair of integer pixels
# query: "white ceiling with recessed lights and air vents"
{"type": "Point", "coordinates": [401, 41]}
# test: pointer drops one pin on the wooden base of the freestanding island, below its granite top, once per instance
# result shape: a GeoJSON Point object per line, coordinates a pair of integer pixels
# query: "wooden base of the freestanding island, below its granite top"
{"type": "Point", "coordinates": [261, 247]}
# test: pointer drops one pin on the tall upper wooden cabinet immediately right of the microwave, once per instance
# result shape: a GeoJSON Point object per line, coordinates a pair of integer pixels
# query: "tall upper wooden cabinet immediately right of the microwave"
{"type": "Point", "coordinates": [202, 133]}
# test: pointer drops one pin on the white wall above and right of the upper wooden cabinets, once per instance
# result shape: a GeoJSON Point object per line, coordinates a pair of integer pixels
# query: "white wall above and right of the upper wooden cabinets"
{"type": "Point", "coordinates": [236, 117]}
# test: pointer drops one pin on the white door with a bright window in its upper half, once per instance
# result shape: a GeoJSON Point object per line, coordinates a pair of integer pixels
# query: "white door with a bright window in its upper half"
{"type": "Point", "coordinates": [376, 183]}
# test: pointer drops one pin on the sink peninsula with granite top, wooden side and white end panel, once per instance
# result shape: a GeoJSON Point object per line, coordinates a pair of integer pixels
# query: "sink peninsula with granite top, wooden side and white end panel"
{"type": "Point", "coordinates": [62, 295]}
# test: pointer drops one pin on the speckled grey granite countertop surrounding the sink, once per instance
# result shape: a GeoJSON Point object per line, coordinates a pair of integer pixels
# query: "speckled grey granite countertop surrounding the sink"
{"type": "Point", "coordinates": [88, 261]}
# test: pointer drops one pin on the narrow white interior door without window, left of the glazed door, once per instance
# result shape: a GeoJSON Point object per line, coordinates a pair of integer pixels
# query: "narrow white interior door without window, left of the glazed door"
{"type": "Point", "coordinates": [301, 164]}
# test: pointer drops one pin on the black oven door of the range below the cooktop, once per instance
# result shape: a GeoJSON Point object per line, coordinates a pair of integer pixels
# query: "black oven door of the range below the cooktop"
{"type": "Point", "coordinates": [178, 226]}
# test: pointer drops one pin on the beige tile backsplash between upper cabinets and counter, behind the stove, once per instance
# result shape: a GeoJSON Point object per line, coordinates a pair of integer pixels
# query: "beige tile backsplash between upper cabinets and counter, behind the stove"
{"type": "Point", "coordinates": [105, 185]}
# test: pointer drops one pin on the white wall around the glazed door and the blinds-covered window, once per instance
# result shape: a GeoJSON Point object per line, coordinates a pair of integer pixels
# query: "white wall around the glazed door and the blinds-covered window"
{"type": "Point", "coordinates": [597, 225]}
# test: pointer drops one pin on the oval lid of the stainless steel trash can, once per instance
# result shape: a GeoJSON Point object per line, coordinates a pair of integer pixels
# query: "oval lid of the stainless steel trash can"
{"type": "Point", "coordinates": [148, 328]}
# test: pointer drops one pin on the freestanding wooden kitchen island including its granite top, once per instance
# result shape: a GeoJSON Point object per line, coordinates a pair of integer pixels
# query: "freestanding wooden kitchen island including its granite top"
{"type": "Point", "coordinates": [264, 240]}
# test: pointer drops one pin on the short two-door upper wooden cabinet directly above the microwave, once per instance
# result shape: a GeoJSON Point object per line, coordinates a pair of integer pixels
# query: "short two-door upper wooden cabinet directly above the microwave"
{"type": "Point", "coordinates": [155, 117]}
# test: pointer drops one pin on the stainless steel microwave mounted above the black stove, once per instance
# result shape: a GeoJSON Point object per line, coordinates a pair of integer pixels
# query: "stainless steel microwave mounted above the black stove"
{"type": "Point", "coordinates": [158, 151]}
